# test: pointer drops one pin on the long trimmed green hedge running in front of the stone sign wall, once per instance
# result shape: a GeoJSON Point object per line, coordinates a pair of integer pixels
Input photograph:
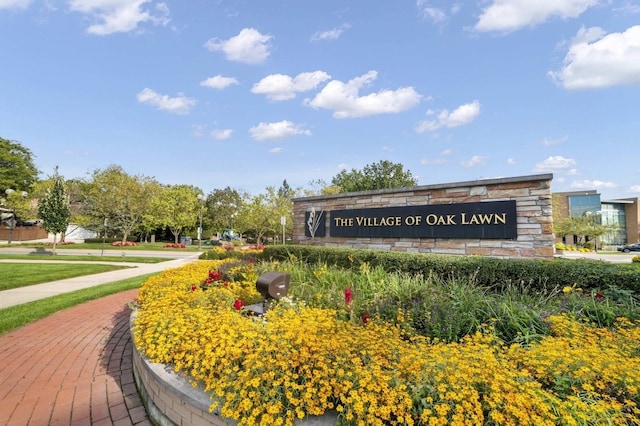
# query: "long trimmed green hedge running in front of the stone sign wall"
{"type": "Point", "coordinates": [495, 273]}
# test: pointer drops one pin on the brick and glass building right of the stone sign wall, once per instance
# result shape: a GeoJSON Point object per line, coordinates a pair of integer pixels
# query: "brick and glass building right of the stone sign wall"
{"type": "Point", "coordinates": [623, 213]}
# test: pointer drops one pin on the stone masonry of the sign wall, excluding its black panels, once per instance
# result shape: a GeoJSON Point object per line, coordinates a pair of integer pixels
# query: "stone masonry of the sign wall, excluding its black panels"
{"type": "Point", "coordinates": [533, 212]}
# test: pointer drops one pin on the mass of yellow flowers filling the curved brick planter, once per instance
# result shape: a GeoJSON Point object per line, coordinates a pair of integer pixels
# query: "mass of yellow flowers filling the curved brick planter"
{"type": "Point", "coordinates": [301, 361]}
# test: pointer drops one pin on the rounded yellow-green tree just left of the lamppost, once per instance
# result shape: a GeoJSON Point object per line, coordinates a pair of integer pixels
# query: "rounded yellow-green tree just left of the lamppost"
{"type": "Point", "coordinates": [177, 207]}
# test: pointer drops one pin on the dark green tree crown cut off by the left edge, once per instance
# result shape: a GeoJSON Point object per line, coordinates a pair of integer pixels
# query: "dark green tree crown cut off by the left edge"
{"type": "Point", "coordinates": [17, 170]}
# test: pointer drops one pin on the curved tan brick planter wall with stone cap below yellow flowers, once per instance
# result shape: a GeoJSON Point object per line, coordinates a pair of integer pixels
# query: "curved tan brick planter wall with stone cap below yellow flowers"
{"type": "Point", "coordinates": [171, 400]}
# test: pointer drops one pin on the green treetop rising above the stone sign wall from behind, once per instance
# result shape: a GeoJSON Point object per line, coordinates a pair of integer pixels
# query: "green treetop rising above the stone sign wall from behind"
{"type": "Point", "coordinates": [381, 175]}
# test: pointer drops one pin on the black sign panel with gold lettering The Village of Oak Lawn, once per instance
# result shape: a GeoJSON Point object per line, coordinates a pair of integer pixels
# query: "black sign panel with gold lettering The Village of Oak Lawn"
{"type": "Point", "coordinates": [490, 220]}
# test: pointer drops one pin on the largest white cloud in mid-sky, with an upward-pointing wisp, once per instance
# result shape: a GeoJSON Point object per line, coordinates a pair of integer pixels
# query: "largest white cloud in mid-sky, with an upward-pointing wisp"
{"type": "Point", "coordinates": [344, 98]}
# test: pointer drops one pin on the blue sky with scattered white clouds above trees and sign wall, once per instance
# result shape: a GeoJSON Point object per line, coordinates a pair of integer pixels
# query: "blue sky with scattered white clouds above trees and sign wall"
{"type": "Point", "coordinates": [247, 94]}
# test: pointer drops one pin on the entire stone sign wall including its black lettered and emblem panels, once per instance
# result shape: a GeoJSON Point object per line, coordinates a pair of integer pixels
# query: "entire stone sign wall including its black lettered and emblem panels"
{"type": "Point", "coordinates": [507, 217]}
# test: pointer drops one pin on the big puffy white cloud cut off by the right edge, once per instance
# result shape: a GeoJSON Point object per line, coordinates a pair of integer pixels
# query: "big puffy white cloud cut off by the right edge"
{"type": "Point", "coordinates": [596, 60]}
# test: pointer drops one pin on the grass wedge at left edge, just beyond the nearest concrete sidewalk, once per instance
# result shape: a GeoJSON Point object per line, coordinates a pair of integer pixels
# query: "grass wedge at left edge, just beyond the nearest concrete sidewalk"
{"type": "Point", "coordinates": [16, 275]}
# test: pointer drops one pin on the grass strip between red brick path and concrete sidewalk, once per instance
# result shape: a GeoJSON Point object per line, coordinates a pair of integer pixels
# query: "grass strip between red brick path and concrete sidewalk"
{"type": "Point", "coordinates": [16, 316]}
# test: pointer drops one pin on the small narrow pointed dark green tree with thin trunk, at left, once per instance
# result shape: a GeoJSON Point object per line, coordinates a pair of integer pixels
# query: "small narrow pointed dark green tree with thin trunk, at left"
{"type": "Point", "coordinates": [54, 209]}
